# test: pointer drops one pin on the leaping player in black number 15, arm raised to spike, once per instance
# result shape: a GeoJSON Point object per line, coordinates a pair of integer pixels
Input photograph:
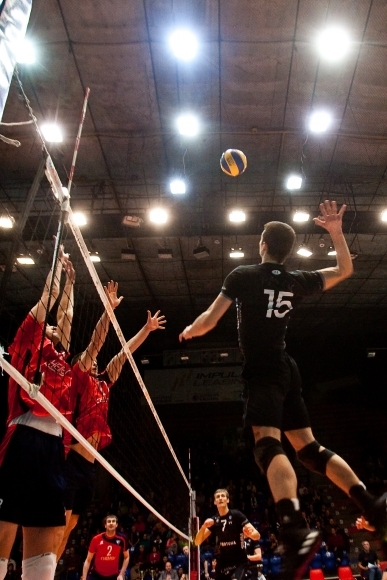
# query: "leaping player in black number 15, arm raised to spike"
{"type": "Point", "coordinates": [265, 295]}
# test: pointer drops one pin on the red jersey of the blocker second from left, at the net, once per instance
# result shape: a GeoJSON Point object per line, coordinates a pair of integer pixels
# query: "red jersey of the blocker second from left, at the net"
{"type": "Point", "coordinates": [92, 406]}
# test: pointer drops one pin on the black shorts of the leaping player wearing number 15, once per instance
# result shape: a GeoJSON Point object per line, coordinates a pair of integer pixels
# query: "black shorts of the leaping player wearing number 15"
{"type": "Point", "coordinates": [273, 393]}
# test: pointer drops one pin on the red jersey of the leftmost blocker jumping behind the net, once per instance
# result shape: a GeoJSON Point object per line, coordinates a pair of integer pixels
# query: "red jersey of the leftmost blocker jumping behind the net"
{"type": "Point", "coordinates": [56, 386]}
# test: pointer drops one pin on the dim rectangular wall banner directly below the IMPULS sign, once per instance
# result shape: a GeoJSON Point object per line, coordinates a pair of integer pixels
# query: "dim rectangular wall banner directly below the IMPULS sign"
{"type": "Point", "coordinates": [195, 385]}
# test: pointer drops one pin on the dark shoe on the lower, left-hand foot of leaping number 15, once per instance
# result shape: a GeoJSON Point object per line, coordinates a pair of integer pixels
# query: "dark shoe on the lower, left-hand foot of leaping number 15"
{"type": "Point", "coordinates": [298, 547]}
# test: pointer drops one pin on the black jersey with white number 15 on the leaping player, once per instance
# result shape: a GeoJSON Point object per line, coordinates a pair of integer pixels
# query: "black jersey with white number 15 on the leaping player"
{"type": "Point", "coordinates": [265, 295]}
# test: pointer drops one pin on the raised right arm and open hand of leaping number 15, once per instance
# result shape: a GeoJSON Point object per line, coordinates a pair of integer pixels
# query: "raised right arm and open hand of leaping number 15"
{"type": "Point", "coordinates": [331, 220]}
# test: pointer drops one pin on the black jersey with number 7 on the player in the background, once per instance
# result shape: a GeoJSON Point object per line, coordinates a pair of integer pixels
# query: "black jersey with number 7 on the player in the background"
{"type": "Point", "coordinates": [229, 532]}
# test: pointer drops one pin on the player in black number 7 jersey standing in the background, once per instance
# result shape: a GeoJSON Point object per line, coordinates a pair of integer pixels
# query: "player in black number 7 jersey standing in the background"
{"type": "Point", "coordinates": [231, 527]}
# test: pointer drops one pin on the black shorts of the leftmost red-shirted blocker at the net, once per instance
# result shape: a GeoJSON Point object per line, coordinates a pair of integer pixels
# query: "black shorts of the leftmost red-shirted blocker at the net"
{"type": "Point", "coordinates": [32, 479]}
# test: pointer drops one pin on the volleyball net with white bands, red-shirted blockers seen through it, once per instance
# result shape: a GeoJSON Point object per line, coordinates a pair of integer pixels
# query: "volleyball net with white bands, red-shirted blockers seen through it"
{"type": "Point", "coordinates": [130, 440]}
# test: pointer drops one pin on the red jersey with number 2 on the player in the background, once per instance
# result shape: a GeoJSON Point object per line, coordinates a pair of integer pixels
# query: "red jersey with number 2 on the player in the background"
{"type": "Point", "coordinates": [108, 552]}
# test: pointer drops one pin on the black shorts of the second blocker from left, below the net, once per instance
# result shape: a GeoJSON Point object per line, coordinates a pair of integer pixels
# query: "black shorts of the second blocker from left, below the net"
{"type": "Point", "coordinates": [80, 476]}
